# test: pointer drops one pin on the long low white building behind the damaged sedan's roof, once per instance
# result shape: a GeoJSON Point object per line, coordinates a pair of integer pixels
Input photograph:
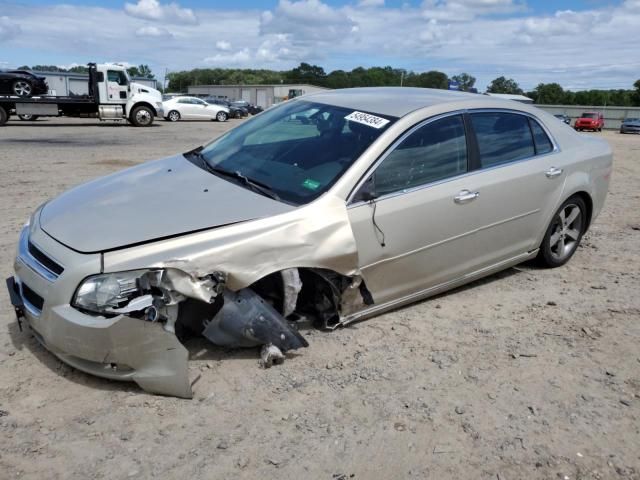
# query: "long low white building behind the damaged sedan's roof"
{"type": "Point", "coordinates": [261, 95]}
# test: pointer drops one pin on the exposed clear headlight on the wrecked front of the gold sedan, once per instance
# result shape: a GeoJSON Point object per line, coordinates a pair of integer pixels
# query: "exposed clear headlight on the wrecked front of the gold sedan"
{"type": "Point", "coordinates": [111, 291]}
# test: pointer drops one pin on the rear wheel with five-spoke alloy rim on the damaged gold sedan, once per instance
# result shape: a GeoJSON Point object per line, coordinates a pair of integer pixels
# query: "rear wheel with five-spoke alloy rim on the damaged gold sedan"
{"type": "Point", "coordinates": [563, 235]}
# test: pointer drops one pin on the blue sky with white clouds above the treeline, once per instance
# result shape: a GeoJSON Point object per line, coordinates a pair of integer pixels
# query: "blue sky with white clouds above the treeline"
{"type": "Point", "coordinates": [580, 44]}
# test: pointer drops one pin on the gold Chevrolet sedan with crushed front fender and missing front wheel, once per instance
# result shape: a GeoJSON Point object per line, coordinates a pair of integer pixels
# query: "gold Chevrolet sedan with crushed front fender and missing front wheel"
{"type": "Point", "coordinates": [327, 209]}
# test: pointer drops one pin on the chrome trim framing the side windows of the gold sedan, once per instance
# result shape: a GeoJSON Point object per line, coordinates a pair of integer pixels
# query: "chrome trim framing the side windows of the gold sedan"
{"type": "Point", "coordinates": [394, 145]}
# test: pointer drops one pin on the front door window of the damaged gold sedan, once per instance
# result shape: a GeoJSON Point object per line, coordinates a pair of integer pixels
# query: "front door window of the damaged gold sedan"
{"type": "Point", "coordinates": [436, 151]}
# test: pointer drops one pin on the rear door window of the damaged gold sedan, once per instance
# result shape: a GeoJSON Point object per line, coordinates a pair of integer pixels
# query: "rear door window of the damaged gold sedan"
{"type": "Point", "coordinates": [502, 137]}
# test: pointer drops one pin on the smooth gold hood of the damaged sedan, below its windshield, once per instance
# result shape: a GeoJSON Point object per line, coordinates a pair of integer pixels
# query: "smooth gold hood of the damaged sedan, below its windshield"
{"type": "Point", "coordinates": [155, 200]}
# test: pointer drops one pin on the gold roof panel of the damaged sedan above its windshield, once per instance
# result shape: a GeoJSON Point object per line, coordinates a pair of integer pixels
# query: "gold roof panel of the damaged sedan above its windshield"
{"type": "Point", "coordinates": [392, 101]}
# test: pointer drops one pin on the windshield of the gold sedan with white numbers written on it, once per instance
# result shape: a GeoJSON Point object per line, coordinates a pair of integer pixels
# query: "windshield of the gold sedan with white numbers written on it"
{"type": "Point", "coordinates": [298, 150]}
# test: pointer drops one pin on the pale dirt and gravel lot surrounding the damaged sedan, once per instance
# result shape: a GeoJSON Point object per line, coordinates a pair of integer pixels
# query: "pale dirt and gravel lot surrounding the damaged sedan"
{"type": "Point", "coordinates": [527, 374]}
